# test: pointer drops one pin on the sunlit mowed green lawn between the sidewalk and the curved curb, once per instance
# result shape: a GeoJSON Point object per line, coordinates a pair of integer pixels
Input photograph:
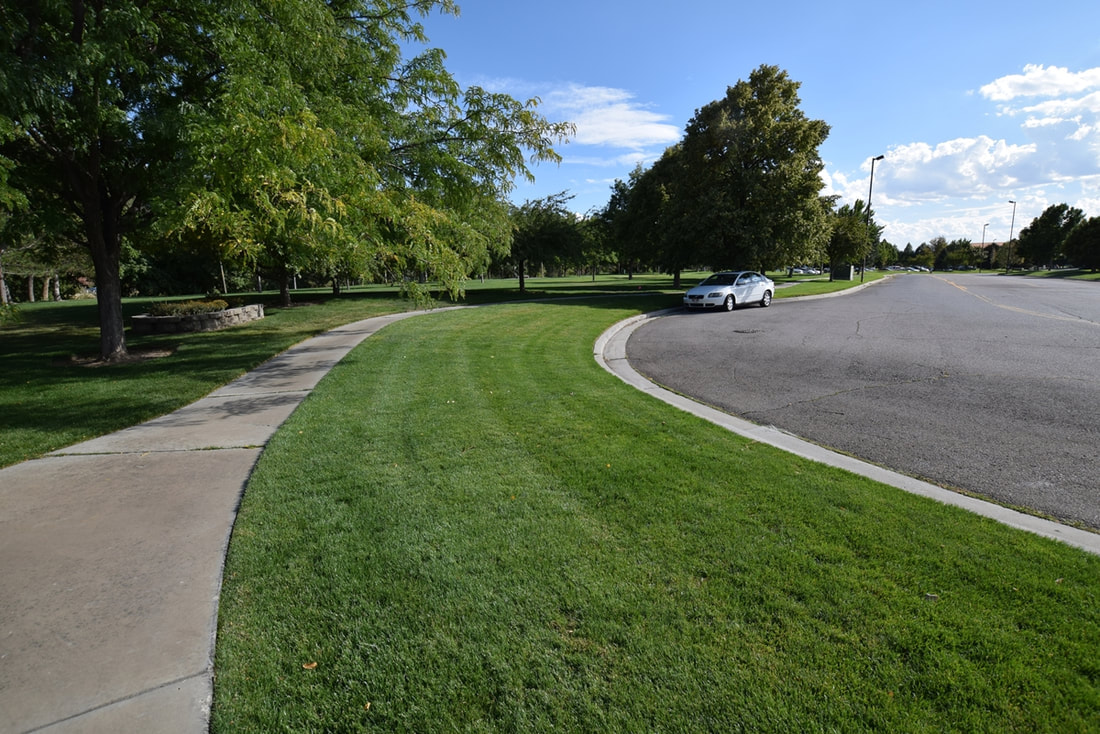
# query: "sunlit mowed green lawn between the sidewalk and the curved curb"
{"type": "Point", "coordinates": [470, 527]}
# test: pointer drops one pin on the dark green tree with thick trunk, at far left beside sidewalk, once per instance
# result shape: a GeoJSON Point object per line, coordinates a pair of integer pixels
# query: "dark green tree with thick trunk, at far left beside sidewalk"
{"type": "Point", "coordinates": [94, 94]}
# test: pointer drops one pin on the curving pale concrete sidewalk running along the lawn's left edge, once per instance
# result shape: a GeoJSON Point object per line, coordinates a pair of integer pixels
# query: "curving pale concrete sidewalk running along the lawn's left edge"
{"type": "Point", "coordinates": [112, 555]}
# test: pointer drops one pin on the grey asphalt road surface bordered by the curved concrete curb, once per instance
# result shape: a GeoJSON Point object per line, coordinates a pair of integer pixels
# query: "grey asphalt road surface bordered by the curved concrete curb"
{"type": "Point", "coordinates": [978, 382]}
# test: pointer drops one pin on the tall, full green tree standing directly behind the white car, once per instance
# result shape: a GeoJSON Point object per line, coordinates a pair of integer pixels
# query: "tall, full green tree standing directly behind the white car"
{"type": "Point", "coordinates": [753, 177]}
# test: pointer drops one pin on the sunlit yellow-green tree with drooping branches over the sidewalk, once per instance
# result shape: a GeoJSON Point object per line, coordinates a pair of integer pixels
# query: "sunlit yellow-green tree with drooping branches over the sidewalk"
{"type": "Point", "coordinates": [390, 167]}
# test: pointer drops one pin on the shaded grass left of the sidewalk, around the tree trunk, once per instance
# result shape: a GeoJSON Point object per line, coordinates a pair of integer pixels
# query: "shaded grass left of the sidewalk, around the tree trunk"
{"type": "Point", "coordinates": [50, 399]}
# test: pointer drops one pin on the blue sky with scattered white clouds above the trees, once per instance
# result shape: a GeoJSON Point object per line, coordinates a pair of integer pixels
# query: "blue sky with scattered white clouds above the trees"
{"type": "Point", "coordinates": [973, 104]}
